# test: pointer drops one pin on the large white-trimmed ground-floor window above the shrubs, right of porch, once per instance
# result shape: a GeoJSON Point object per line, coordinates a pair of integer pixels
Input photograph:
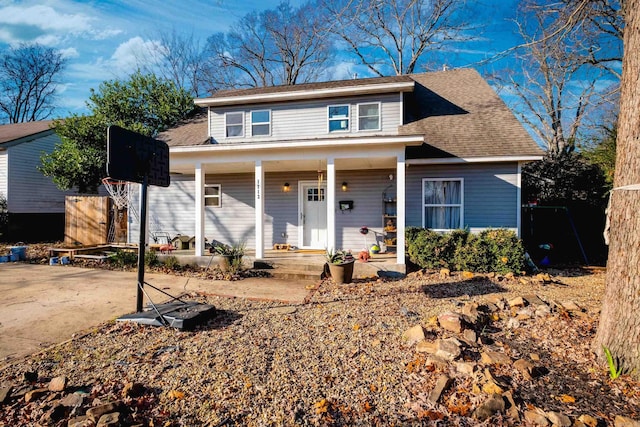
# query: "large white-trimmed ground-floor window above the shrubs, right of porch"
{"type": "Point", "coordinates": [442, 201]}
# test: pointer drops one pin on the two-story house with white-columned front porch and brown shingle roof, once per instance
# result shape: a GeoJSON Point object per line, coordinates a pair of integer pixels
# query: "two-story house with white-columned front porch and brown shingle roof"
{"type": "Point", "coordinates": [309, 165]}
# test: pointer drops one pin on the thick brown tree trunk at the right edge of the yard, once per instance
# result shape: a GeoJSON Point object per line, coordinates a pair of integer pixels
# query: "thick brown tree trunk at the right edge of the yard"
{"type": "Point", "coordinates": [619, 328]}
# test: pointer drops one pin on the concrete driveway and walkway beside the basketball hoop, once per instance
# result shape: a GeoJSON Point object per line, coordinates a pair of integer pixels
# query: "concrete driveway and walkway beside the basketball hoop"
{"type": "Point", "coordinates": [42, 305]}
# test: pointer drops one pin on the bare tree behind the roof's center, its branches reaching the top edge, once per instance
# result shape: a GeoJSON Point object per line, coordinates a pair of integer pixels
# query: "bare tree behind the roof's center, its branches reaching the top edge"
{"type": "Point", "coordinates": [394, 36]}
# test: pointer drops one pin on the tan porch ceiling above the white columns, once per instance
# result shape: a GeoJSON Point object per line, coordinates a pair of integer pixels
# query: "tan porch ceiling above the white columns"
{"type": "Point", "coordinates": [357, 163]}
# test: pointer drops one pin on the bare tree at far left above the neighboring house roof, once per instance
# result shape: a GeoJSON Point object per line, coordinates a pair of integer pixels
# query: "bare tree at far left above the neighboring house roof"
{"type": "Point", "coordinates": [29, 77]}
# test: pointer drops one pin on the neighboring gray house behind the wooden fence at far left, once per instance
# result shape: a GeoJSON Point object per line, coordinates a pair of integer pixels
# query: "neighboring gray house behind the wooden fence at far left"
{"type": "Point", "coordinates": [35, 205]}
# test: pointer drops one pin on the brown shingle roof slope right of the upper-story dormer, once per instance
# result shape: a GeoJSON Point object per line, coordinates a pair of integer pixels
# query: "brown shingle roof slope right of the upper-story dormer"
{"type": "Point", "coordinates": [460, 115]}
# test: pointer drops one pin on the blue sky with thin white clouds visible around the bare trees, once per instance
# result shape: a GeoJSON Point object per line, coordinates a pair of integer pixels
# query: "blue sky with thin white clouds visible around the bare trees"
{"type": "Point", "coordinates": [100, 38]}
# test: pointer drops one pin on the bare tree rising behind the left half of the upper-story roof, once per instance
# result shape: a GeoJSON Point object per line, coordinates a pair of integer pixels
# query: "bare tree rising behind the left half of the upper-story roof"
{"type": "Point", "coordinates": [285, 45]}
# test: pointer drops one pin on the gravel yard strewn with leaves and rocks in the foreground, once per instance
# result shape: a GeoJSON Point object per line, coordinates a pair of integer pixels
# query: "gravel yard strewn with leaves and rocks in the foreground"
{"type": "Point", "coordinates": [338, 359]}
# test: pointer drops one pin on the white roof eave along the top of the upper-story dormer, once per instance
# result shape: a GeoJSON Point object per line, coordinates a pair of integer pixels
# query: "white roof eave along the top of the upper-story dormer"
{"type": "Point", "coordinates": [296, 95]}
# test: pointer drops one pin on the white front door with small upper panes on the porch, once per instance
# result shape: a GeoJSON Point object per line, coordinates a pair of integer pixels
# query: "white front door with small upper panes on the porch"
{"type": "Point", "coordinates": [313, 214]}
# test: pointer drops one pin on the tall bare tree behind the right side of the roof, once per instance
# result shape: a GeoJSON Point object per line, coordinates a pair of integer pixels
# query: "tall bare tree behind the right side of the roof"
{"type": "Point", "coordinates": [560, 87]}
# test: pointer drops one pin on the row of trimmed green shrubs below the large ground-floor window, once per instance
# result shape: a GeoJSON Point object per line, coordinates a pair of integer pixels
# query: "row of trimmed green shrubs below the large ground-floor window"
{"type": "Point", "coordinates": [493, 250]}
